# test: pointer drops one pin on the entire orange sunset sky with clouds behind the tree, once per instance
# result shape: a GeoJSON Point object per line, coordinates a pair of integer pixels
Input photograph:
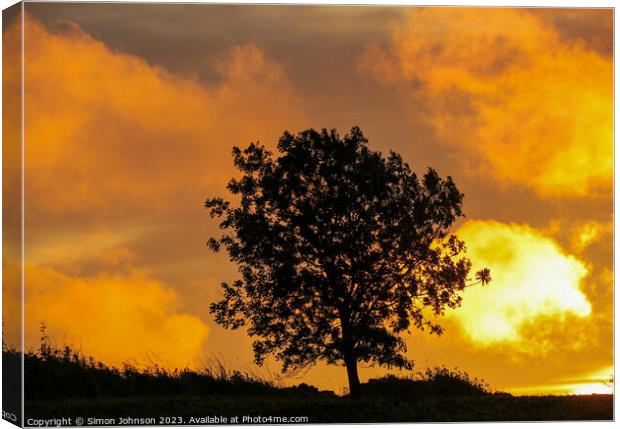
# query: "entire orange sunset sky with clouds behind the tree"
{"type": "Point", "coordinates": [131, 112]}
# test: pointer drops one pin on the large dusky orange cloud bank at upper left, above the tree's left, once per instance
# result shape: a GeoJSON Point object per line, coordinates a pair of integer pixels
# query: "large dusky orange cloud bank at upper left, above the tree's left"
{"type": "Point", "coordinates": [109, 134]}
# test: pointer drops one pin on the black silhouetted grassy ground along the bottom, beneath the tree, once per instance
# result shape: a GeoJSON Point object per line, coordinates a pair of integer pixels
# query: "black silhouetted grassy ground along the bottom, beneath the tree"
{"type": "Point", "coordinates": [63, 383]}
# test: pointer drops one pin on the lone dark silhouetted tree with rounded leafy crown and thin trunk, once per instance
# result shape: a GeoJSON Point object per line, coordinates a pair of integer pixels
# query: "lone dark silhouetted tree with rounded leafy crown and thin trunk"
{"type": "Point", "coordinates": [340, 252]}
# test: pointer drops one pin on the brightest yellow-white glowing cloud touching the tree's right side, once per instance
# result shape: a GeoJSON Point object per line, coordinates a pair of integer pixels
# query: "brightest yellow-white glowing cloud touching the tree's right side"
{"type": "Point", "coordinates": [533, 278]}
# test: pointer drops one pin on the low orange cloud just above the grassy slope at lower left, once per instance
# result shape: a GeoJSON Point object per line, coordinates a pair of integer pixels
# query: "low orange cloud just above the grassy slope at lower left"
{"type": "Point", "coordinates": [120, 317]}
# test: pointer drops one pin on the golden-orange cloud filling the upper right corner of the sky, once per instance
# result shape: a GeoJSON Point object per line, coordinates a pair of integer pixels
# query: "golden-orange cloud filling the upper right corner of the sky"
{"type": "Point", "coordinates": [529, 106]}
